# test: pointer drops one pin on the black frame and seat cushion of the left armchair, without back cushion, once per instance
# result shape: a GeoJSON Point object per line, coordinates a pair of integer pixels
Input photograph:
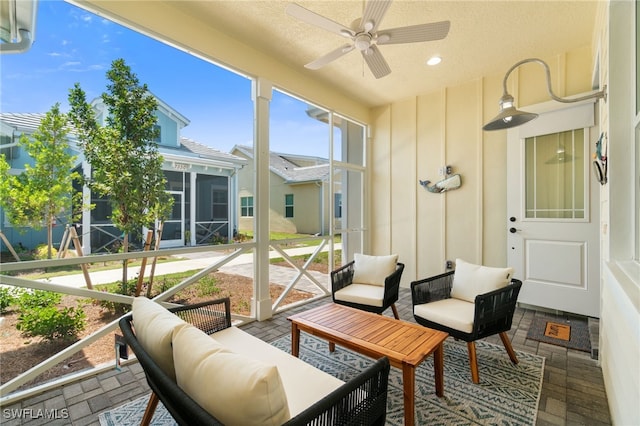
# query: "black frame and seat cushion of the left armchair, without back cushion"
{"type": "Point", "coordinates": [370, 298]}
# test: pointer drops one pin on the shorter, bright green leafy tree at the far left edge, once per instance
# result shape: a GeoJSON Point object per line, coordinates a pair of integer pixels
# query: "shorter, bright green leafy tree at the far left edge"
{"type": "Point", "coordinates": [43, 192]}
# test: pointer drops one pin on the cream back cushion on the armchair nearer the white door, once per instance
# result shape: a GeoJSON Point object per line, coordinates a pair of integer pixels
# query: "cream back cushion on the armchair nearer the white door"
{"type": "Point", "coordinates": [470, 280]}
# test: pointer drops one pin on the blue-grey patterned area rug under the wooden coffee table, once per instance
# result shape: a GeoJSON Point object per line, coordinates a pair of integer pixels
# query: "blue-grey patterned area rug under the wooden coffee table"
{"type": "Point", "coordinates": [507, 394]}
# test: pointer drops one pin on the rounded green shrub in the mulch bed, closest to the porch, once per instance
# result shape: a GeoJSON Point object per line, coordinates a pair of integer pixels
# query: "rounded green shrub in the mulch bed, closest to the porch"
{"type": "Point", "coordinates": [51, 323]}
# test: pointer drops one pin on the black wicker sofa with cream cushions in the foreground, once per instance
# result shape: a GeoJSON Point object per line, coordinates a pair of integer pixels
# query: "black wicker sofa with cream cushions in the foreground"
{"type": "Point", "coordinates": [310, 396]}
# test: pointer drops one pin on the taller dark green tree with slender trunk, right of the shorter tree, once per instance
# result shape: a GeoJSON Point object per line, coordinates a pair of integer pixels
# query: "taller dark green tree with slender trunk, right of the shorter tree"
{"type": "Point", "coordinates": [125, 163]}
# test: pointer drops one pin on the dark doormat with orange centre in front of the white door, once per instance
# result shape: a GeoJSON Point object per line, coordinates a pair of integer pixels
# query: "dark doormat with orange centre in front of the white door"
{"type": "Point", "coordinates": [571, 334]}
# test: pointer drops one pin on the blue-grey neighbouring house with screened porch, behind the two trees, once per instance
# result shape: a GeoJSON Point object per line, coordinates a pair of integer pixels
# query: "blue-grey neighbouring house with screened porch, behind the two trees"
{"type": "Point", "coordinates": [201, 180]}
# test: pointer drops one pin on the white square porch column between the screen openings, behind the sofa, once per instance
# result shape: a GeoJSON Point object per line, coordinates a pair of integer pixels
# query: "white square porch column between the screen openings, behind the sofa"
{"type": "Point", "coordinates": [261, 91]}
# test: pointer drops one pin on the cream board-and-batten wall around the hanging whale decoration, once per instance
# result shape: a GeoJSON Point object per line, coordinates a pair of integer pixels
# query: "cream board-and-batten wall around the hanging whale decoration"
{"type": "Point", "coordinates": [413, 138]}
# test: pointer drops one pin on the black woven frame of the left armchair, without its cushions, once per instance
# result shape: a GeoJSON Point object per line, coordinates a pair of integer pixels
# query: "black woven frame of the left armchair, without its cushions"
{"type": "Point", "coordinates": [343, 276]}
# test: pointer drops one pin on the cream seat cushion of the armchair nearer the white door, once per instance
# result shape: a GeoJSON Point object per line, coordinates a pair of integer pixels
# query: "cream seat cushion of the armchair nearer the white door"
{"type": "Point", "coordinates": [453, 313]}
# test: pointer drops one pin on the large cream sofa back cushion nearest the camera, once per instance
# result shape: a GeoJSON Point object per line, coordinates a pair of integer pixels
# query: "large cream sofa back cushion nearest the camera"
{"type": "Point", "coordinates": [234, 388]}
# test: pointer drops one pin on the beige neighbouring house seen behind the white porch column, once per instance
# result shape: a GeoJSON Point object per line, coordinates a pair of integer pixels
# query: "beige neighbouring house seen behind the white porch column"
{"type": "Point", "coordinates": [299, 193]}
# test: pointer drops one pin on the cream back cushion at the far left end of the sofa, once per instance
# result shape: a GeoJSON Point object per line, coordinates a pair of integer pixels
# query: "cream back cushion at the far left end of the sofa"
{"type": "Point", "coordinates": [154, 327]}
